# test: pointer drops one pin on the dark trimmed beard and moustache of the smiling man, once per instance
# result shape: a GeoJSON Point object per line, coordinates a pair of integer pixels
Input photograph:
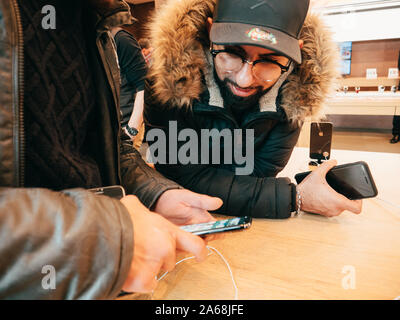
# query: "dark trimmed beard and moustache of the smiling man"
{"type": "Point", "coordinates": [234, 102]}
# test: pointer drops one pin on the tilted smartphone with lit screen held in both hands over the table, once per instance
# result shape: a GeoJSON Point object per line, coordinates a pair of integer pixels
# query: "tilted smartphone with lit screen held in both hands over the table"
{"type": "Point", "coordinates": [218, 226]}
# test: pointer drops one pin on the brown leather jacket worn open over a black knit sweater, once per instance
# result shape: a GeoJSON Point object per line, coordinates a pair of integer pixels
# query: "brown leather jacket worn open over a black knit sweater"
{"type": "Point", "coordinates": [87, 239]}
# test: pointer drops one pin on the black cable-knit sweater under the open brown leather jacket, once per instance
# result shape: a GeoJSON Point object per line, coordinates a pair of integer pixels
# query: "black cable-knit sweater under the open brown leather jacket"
{"type": "Point", "coordinates": [59, 98]}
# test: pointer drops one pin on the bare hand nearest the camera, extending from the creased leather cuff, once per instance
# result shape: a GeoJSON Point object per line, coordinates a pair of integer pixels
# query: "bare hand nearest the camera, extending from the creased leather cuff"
{"type": "Point", "coordinates": [156, 241]}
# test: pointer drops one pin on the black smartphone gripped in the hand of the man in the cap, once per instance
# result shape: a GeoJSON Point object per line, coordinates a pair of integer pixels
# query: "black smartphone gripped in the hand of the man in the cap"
{"type": "Point", "coordinates": [353, 180]}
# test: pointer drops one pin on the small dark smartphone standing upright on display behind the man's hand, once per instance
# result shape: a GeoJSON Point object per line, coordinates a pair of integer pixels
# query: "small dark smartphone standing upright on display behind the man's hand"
{"type": "Point", "coordinates": [321, 140]}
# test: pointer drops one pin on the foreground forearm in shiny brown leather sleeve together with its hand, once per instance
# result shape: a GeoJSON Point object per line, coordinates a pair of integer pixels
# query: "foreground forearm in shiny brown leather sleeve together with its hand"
{"type": "Point", "coordinates": [77, 245]}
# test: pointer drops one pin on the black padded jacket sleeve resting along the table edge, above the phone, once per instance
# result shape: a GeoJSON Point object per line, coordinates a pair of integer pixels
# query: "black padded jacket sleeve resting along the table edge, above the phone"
{"type": "Point", "coordinates": [242, 195]}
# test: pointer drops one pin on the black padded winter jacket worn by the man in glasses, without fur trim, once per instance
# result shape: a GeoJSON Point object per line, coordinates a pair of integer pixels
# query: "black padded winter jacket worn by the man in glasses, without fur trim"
{"type": "Point", "coordinates": [259, 194]}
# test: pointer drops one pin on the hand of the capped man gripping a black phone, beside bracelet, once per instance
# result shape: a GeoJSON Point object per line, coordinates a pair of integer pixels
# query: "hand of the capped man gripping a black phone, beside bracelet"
{"type": "Point", "coordinates": [317, 196]}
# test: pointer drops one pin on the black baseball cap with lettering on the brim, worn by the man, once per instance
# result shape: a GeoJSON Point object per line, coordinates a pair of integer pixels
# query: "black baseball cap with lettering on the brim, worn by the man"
{"type": "Point", "coordinates": [271, 24]}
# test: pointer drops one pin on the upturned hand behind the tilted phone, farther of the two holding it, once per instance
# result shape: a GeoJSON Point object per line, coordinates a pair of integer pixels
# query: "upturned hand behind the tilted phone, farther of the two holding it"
{"type": "Point", "coordinates": [182, 207]}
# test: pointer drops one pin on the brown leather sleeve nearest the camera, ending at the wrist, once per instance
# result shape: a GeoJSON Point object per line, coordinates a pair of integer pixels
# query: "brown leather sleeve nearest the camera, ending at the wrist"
{"type": "Point", "coordinates": [63, 245]}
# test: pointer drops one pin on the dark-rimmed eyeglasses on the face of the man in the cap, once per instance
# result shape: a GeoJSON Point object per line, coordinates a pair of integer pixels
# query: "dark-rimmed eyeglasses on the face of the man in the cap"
{"type": "Point", "coordinates": [267, 70]}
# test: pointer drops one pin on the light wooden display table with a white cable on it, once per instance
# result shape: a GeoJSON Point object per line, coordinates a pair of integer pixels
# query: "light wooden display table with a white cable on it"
{"type": "Point", "coordinates": [307, 257]}
